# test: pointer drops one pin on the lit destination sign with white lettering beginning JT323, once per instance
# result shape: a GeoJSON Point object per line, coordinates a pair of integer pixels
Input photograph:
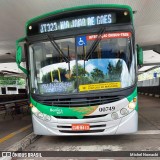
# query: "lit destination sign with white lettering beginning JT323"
{"type": "Point", "coordinates": [73, 22]}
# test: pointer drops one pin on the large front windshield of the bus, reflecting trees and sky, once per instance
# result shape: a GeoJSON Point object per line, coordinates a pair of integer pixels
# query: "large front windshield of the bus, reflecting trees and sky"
{"type": "Point", "coordinates": [70, 65]}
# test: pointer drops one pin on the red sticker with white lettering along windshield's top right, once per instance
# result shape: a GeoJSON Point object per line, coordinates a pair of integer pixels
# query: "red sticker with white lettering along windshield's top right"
{"type": "Point", "coordinates": [110, 35]}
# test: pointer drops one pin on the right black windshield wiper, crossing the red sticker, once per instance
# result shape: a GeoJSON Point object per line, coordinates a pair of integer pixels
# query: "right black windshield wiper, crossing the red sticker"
{"type": "Point", "coordinates": [95, 43]}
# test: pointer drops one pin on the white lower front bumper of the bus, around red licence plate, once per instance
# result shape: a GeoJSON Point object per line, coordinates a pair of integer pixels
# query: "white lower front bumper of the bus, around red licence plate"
{"type": "Point", "coordinates": [98, 126]}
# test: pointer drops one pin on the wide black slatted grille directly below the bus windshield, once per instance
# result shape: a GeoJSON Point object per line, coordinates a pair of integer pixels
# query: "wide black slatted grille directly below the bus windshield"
{"type": "Point", "coordinates": [81, 102]}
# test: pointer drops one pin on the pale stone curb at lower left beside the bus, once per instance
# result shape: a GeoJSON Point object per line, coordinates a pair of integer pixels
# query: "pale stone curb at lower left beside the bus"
{"type": "Point", "coordinates": [25, 142]}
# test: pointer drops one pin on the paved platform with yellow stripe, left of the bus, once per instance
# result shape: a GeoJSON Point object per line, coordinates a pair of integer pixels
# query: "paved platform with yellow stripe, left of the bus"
{"type": "Point", "coordinates": [13, 130]}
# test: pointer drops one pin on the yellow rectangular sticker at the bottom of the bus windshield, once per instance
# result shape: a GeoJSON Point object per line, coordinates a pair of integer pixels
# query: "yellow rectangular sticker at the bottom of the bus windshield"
{"type": "Point", "coordinates": [100, 86]}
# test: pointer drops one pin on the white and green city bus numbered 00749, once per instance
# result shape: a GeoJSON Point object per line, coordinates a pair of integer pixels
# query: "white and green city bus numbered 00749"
{"type": "Point", "coordinates": [82, 70]}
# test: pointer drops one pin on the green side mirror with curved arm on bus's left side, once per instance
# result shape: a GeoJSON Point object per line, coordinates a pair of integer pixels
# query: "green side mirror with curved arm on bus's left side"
{"type": "Point", "coordinates": [19, 51]}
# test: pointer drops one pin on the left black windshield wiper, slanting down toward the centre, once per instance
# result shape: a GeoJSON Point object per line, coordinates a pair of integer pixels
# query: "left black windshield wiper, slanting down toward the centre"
{"type": "Point", "coordinates": [55, 45]}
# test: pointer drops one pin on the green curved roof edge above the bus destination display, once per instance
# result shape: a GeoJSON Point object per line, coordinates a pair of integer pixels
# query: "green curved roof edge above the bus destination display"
{"type": "Point", "coordinates": [77, 8]}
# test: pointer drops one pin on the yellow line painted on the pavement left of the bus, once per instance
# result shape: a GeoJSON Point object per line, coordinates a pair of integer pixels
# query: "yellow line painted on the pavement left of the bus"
{"type": "Point", "coordinates": [14, 133]}
